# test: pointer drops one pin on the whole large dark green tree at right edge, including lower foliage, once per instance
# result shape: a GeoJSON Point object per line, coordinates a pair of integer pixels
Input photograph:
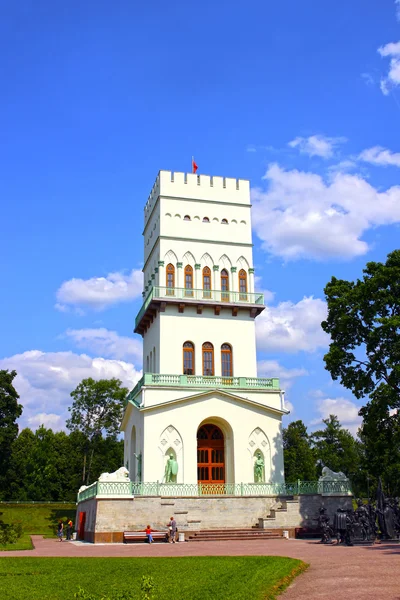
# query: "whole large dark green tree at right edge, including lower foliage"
{"type": "Point", "coordinates": [364, 354]}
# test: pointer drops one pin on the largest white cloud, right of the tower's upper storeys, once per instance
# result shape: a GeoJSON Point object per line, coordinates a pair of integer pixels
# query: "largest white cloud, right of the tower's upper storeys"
{"type": "Point", "coordinates": [302, 216]}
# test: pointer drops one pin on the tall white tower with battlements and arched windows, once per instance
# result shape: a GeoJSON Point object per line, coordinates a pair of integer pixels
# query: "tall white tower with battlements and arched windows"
{"type": "Point", "coordinates": [200, 399]}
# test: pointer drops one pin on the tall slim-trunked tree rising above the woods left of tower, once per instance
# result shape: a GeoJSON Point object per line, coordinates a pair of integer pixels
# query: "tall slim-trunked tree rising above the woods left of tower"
{"type": "Point", "coordinates": [96, 411]}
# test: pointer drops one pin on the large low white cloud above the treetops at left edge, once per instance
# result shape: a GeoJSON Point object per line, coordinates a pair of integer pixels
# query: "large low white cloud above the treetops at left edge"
{"type": "Point", "coordinates": [46, 379]}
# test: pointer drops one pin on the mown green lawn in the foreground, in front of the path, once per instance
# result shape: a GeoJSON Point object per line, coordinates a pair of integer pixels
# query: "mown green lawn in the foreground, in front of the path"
{"type": "Point", "coordinates": [189, 578]}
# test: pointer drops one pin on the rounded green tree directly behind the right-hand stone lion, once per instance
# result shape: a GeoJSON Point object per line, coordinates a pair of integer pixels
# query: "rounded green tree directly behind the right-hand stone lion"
{"type": "Point", "coordinates": [336, 448]}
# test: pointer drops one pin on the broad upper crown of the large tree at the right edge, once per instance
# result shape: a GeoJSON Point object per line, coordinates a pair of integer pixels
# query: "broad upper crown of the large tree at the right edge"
{"type": "Point", "coordinates": [364, 325]}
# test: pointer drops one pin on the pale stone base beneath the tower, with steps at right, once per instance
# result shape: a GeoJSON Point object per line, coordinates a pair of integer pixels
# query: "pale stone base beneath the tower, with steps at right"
{"type": "Point", "coordinates": [103, 520]}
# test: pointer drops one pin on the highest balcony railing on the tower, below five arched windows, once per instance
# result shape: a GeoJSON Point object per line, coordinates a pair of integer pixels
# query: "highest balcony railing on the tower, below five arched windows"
{"type": "Point", "coordinates": [220, 296]}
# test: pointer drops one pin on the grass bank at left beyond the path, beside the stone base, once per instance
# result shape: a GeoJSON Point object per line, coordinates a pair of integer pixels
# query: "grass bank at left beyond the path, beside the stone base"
{"type": "Point", "coordinates": [37, 519]}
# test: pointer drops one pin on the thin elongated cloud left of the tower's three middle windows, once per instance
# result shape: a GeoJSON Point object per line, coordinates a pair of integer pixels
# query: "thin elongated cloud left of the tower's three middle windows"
{"type": "Point", "coordinates": [107, 343]}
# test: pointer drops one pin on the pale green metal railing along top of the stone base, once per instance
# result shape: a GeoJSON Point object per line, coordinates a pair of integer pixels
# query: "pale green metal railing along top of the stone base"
{"type": "Point", "coordinates": [131, 488]}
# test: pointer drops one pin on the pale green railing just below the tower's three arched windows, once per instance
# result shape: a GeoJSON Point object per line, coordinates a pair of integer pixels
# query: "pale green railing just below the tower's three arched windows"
{"type": "Point", "coordinates": [216, 381]}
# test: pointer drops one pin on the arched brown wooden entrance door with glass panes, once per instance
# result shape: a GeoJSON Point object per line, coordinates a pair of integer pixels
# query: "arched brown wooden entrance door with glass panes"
{"type": "Point", "coordinates": [210, 455]}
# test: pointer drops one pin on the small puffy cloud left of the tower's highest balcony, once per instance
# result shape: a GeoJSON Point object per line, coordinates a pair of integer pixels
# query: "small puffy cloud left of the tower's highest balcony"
{"type": "Point", "coordinates": [100, 292]}
